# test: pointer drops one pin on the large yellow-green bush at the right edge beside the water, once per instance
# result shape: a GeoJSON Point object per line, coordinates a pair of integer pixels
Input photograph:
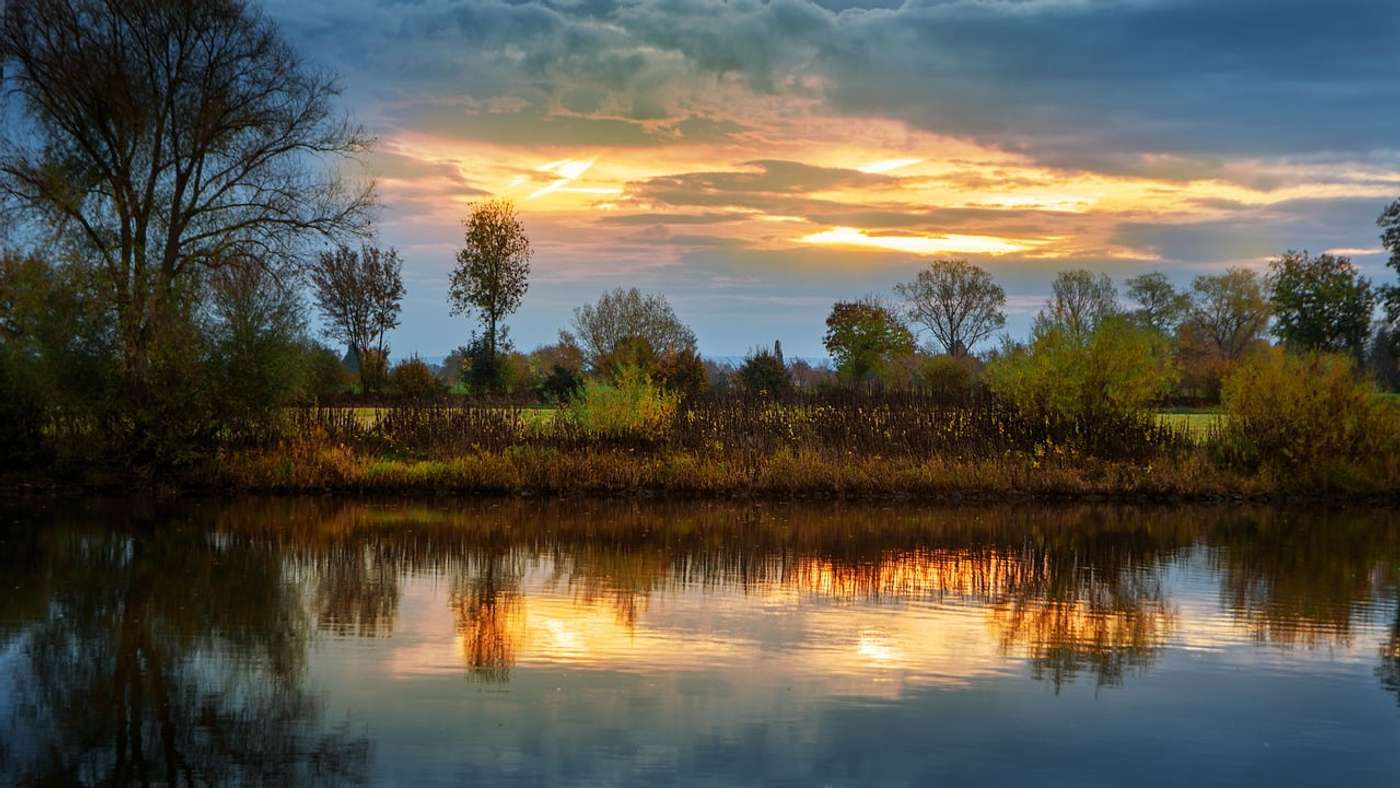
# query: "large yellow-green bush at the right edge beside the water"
{"type": "Point", "coordinates": [1308, 418]}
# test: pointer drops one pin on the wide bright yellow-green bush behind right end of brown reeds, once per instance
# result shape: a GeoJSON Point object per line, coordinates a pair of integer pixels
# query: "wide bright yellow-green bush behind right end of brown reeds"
{"type": "Point", "coordinates": [1116, 370]}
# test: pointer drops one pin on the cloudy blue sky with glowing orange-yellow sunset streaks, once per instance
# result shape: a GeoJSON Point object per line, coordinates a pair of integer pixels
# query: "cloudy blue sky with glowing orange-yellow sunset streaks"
{"type": "Point", "coordinates": [758, 162]}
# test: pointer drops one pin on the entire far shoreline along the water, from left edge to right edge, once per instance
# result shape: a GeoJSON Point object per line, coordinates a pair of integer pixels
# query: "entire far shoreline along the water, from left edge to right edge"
{"type": "Point", "coordinates": [783, 477]}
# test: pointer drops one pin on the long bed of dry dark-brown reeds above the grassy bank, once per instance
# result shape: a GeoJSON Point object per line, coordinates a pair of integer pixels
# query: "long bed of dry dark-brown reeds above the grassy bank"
{"type": "Point", "coordinates": [880, 425]}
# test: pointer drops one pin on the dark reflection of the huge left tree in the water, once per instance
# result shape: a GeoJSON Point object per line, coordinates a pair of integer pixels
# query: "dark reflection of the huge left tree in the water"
{"type": "Point", "coordinates": [166, 654]}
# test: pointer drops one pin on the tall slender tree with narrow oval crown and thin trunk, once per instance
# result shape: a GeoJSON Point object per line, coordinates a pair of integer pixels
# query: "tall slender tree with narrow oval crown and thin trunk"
{"type": "Point", "coordinates": [492, 272]}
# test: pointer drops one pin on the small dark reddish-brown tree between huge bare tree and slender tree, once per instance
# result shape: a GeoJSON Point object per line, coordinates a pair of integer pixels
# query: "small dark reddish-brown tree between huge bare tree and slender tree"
{"type": "Point", "coordinates": [359, 295]}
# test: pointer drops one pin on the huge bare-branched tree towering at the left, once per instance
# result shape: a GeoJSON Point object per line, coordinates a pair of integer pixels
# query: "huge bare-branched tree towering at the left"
{"type": "Point", "coordinates": [169, 139]}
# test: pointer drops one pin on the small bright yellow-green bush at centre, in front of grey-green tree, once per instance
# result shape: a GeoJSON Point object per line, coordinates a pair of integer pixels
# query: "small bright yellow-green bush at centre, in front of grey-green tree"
{"type": "Point", "coordinates": [632, 404]}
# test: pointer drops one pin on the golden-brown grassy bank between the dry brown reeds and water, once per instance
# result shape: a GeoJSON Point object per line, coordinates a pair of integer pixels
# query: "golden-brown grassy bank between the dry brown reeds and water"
{"type": "Point", "coordinates": [782, 474]}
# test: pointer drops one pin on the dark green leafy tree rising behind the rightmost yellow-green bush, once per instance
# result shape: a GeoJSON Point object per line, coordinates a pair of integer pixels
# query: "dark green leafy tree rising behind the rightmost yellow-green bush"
{"type": "Point", "coordinates": [1321, 303]}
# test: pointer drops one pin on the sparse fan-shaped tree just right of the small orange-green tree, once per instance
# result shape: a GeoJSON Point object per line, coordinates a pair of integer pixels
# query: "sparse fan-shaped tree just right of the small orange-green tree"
{"type": "Point", "coordinates": [957, 303]}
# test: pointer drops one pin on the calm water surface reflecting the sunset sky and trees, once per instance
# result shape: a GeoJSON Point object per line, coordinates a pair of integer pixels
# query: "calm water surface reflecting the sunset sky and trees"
{"type": "Point", "coordinates": [605, 643]}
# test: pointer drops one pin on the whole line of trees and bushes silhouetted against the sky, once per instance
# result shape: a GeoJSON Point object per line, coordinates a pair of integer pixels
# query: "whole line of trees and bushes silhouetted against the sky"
{"type": "Point", "coordinates": [181, 176]}
